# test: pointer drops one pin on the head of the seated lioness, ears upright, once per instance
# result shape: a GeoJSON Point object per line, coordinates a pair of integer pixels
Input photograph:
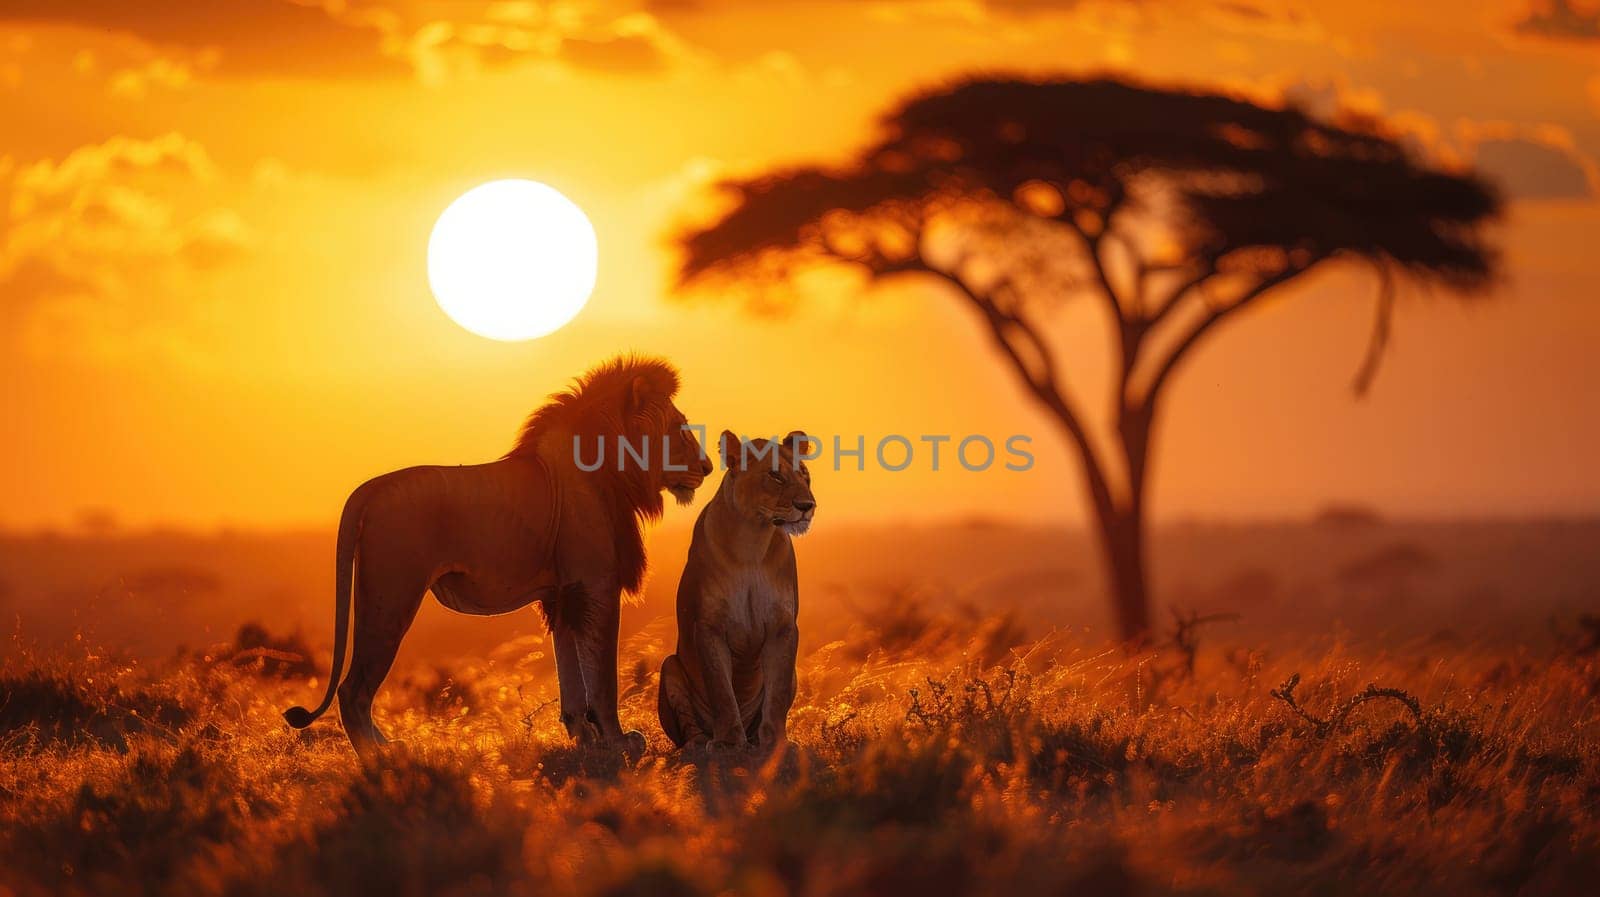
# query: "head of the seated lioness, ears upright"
{"type": "Point", "coordinates": [769, 482]}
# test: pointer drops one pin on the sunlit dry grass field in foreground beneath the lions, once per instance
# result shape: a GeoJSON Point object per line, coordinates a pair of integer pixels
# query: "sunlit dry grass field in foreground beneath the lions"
{"type": "Point", "coordinates": [934, 755]}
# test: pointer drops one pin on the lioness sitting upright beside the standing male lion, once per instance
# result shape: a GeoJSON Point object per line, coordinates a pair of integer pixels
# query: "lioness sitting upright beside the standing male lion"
{"type": "Point", "coordinates": [734, 677]}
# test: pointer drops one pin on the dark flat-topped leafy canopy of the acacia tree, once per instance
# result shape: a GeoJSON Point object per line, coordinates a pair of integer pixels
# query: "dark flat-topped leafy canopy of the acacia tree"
{"type": "Point", "coordinates": [1234, 177]}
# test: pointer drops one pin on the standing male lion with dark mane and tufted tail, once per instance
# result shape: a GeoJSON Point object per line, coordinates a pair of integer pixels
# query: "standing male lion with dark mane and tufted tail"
{"type": "Point", "coordinates": [530, 527]}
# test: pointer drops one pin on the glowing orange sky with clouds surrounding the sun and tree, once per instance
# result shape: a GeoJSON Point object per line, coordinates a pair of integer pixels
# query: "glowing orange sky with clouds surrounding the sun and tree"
{"type": "Point", "coordinates": [214, 305]}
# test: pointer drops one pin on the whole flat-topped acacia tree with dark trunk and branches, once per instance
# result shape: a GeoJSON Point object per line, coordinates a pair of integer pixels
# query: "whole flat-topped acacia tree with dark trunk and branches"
{"type": "Point", "coordinates": [1172, 210]}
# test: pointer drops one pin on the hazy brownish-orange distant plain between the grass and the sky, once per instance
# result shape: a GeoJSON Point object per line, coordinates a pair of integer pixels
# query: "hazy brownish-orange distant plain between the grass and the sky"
{"type": "Point", "coordinates": [1342, 576]}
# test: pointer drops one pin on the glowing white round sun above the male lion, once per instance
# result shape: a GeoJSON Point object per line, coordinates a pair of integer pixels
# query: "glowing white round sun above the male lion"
{"type": "Point", "coordinates": [513, 260]}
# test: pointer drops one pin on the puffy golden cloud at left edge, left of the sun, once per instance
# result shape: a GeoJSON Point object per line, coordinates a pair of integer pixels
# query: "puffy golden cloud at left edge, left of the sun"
{"type": "Point", "coordinates": [105, 250]}
